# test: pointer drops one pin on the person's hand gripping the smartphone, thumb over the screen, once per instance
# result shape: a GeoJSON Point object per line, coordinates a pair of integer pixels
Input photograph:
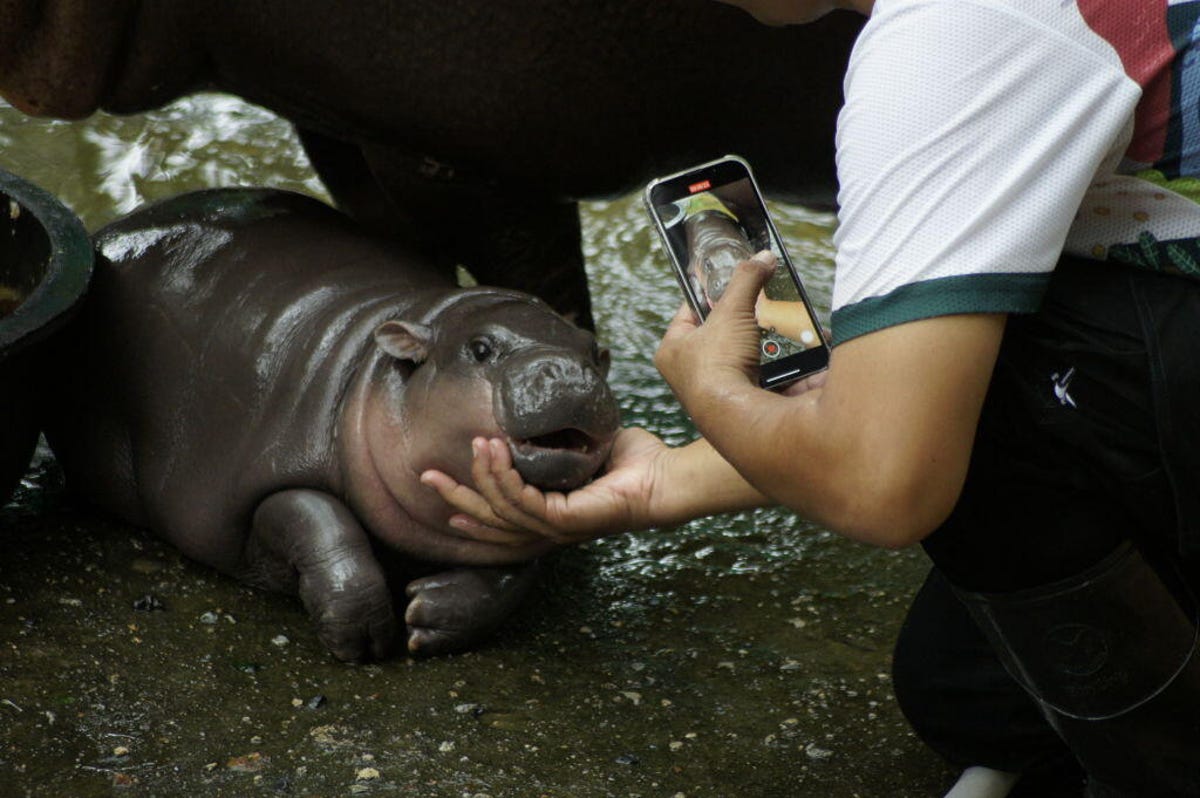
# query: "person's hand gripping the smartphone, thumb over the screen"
{"type": "Point", "coordinates": [700, 361]}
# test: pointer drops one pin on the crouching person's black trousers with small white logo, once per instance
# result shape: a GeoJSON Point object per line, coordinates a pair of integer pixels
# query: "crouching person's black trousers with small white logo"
{"type": "Point", "coordinates": [1090, 436]}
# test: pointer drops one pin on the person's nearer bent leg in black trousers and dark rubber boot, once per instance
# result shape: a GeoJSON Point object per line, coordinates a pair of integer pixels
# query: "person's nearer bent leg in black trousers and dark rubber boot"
{"type": "Point", "coordinates": [1070, 466]}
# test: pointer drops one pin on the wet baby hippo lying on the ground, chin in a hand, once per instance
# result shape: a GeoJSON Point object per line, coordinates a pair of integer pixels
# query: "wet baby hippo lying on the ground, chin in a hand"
{"type": "Point", "coordinates": [262, 385]}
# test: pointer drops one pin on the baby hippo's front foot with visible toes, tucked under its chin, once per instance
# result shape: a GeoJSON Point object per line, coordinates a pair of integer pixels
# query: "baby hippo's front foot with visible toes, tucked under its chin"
{"type": "Point", "coordinates": [454, 610]}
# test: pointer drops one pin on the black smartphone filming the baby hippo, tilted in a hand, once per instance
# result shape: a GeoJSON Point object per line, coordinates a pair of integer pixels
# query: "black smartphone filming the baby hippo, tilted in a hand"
{"type": "Point", "coordinates": [713, 217]}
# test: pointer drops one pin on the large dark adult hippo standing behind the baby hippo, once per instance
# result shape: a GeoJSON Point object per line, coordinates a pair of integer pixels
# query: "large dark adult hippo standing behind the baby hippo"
{"type": "Point", "coordinates": [472, 124]}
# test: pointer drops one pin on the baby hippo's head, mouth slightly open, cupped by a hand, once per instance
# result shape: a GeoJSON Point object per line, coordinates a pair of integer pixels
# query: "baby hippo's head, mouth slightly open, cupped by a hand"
{"type": "Point", "coordinates": [490, 362]}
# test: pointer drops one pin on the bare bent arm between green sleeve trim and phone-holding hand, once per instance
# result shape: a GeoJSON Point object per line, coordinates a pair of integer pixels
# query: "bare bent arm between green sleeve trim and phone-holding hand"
{"type": "Point", "coordinates": [879, 453]}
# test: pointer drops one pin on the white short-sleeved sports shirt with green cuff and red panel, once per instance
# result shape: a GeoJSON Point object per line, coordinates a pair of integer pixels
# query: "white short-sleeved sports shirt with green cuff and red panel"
{"type": "Point", "coordinates": [981, 140]}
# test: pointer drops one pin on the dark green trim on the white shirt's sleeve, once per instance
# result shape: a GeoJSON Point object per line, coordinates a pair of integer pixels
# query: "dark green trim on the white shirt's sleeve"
{"type": "Point", "coordinates": [994, 293]}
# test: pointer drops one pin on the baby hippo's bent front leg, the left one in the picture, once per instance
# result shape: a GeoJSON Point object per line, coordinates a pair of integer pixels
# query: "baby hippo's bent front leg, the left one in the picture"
{"type": "Point", "coordinates": [309, 543]}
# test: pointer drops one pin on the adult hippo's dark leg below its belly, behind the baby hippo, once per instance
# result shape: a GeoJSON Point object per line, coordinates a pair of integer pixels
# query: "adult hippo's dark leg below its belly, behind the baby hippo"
{"type": "Point", "coordinates": [505, 237]}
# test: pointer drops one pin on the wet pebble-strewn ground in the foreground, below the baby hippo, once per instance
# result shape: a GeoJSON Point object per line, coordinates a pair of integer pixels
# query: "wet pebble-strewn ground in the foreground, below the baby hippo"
{"type": "Point", "coordinates": [127, 669]}
